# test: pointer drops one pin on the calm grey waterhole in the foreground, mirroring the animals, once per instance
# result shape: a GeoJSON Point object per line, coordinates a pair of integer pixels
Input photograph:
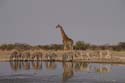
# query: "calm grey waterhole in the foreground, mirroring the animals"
{"type": "Point", "coordinates": [61, 72]}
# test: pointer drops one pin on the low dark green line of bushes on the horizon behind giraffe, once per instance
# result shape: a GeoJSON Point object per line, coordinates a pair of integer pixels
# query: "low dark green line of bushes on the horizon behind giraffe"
{"type": "Point", "coordinates": [79, 45]}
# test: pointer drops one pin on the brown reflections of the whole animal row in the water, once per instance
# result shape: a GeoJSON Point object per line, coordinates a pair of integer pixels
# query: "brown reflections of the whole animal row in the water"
{"type": "Point", "coordinates": [69, 68]}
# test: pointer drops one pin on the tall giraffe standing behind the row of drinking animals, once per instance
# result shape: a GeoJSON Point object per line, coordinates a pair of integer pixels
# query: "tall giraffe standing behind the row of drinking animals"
{"type": "Point", "coordinates": [67, 42]}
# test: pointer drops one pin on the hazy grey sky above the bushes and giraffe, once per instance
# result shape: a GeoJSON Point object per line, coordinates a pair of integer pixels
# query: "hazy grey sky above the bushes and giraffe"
{"type": "Point", "coordinates": [34, 21]}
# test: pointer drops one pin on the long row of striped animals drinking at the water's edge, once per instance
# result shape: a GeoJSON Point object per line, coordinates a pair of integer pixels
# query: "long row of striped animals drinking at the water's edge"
{"type": "Point", "coordinates": [43, 55]}
